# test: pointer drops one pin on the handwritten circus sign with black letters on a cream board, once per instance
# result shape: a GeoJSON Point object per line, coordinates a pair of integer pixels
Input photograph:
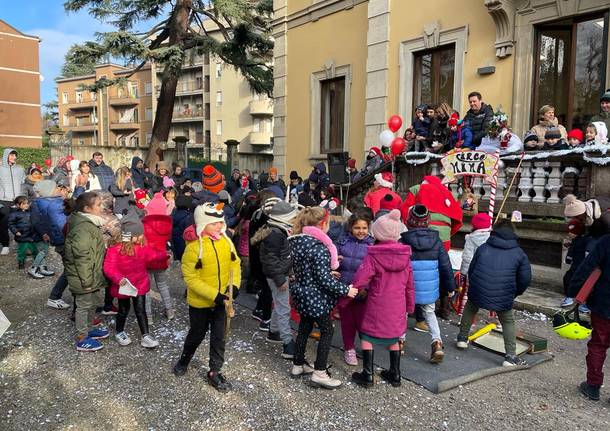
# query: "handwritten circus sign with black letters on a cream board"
{"type": "Point", "coordinates": [462, 163]}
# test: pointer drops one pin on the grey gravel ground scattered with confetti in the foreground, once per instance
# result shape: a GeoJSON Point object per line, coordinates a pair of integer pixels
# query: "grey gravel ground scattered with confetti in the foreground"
{"type": "Point", "coordinates": [46, 385]}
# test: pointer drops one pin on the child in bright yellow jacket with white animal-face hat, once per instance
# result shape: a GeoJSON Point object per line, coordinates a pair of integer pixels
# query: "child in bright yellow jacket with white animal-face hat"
{"type": "Point", "coordinates": [209, 265]}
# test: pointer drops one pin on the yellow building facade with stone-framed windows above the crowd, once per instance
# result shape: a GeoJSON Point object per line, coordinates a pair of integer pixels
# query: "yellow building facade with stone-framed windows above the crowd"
{"type": "Point", "coordinates": [343, 67]}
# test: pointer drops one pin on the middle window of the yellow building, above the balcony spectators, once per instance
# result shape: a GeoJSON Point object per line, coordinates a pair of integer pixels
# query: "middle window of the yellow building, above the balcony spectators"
{"type": "Point", "coordinates": [434, 76]}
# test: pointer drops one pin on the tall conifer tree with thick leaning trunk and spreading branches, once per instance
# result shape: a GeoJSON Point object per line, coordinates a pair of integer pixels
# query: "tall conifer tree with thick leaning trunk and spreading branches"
{"type": "Point", "coordinates": [181, 25]}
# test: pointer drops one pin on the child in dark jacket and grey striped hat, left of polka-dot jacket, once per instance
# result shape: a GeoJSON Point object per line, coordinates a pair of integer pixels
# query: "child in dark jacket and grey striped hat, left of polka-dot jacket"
{"type": "Point", "coordinates": [276, 266]}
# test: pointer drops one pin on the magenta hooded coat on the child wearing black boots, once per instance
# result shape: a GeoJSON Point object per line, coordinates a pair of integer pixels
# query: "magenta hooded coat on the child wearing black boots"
{"type": "Point", "coordinates": [387, 275]}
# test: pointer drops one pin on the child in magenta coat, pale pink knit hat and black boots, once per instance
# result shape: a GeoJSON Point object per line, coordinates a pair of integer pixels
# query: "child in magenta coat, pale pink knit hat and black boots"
{"type": "Point", "coordinates": [386, 280]}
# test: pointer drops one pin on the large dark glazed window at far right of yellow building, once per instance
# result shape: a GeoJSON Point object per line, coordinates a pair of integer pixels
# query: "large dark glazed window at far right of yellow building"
{"type": "Point", "coordinates": [570, 59]}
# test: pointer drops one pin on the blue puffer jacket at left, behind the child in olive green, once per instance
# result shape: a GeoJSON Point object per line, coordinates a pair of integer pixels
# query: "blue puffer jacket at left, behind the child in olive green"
{"type": "Point", "coordinates": [48, 217]}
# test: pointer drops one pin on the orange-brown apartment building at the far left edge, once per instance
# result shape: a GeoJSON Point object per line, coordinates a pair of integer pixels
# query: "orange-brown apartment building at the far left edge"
{"type": "Point", "coordinates": [20, 120]}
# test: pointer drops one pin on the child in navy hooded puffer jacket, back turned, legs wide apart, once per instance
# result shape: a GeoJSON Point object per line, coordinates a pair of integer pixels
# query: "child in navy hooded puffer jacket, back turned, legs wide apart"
{"type": "Point", "coordinates": [499, 272]}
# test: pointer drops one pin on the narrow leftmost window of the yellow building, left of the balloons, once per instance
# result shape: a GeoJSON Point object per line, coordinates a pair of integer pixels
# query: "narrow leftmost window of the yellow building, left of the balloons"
{"type": "Point", "coordinates": [332, 110]}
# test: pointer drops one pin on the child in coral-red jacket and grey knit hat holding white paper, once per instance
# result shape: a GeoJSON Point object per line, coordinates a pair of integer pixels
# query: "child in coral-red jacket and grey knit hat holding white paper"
{"type": "Point", "coordinates": [129, 261]}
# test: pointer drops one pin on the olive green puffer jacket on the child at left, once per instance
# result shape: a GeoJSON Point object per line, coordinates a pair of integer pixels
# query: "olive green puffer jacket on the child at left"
{"type": "Point", "coordinates": [84, 256]}
